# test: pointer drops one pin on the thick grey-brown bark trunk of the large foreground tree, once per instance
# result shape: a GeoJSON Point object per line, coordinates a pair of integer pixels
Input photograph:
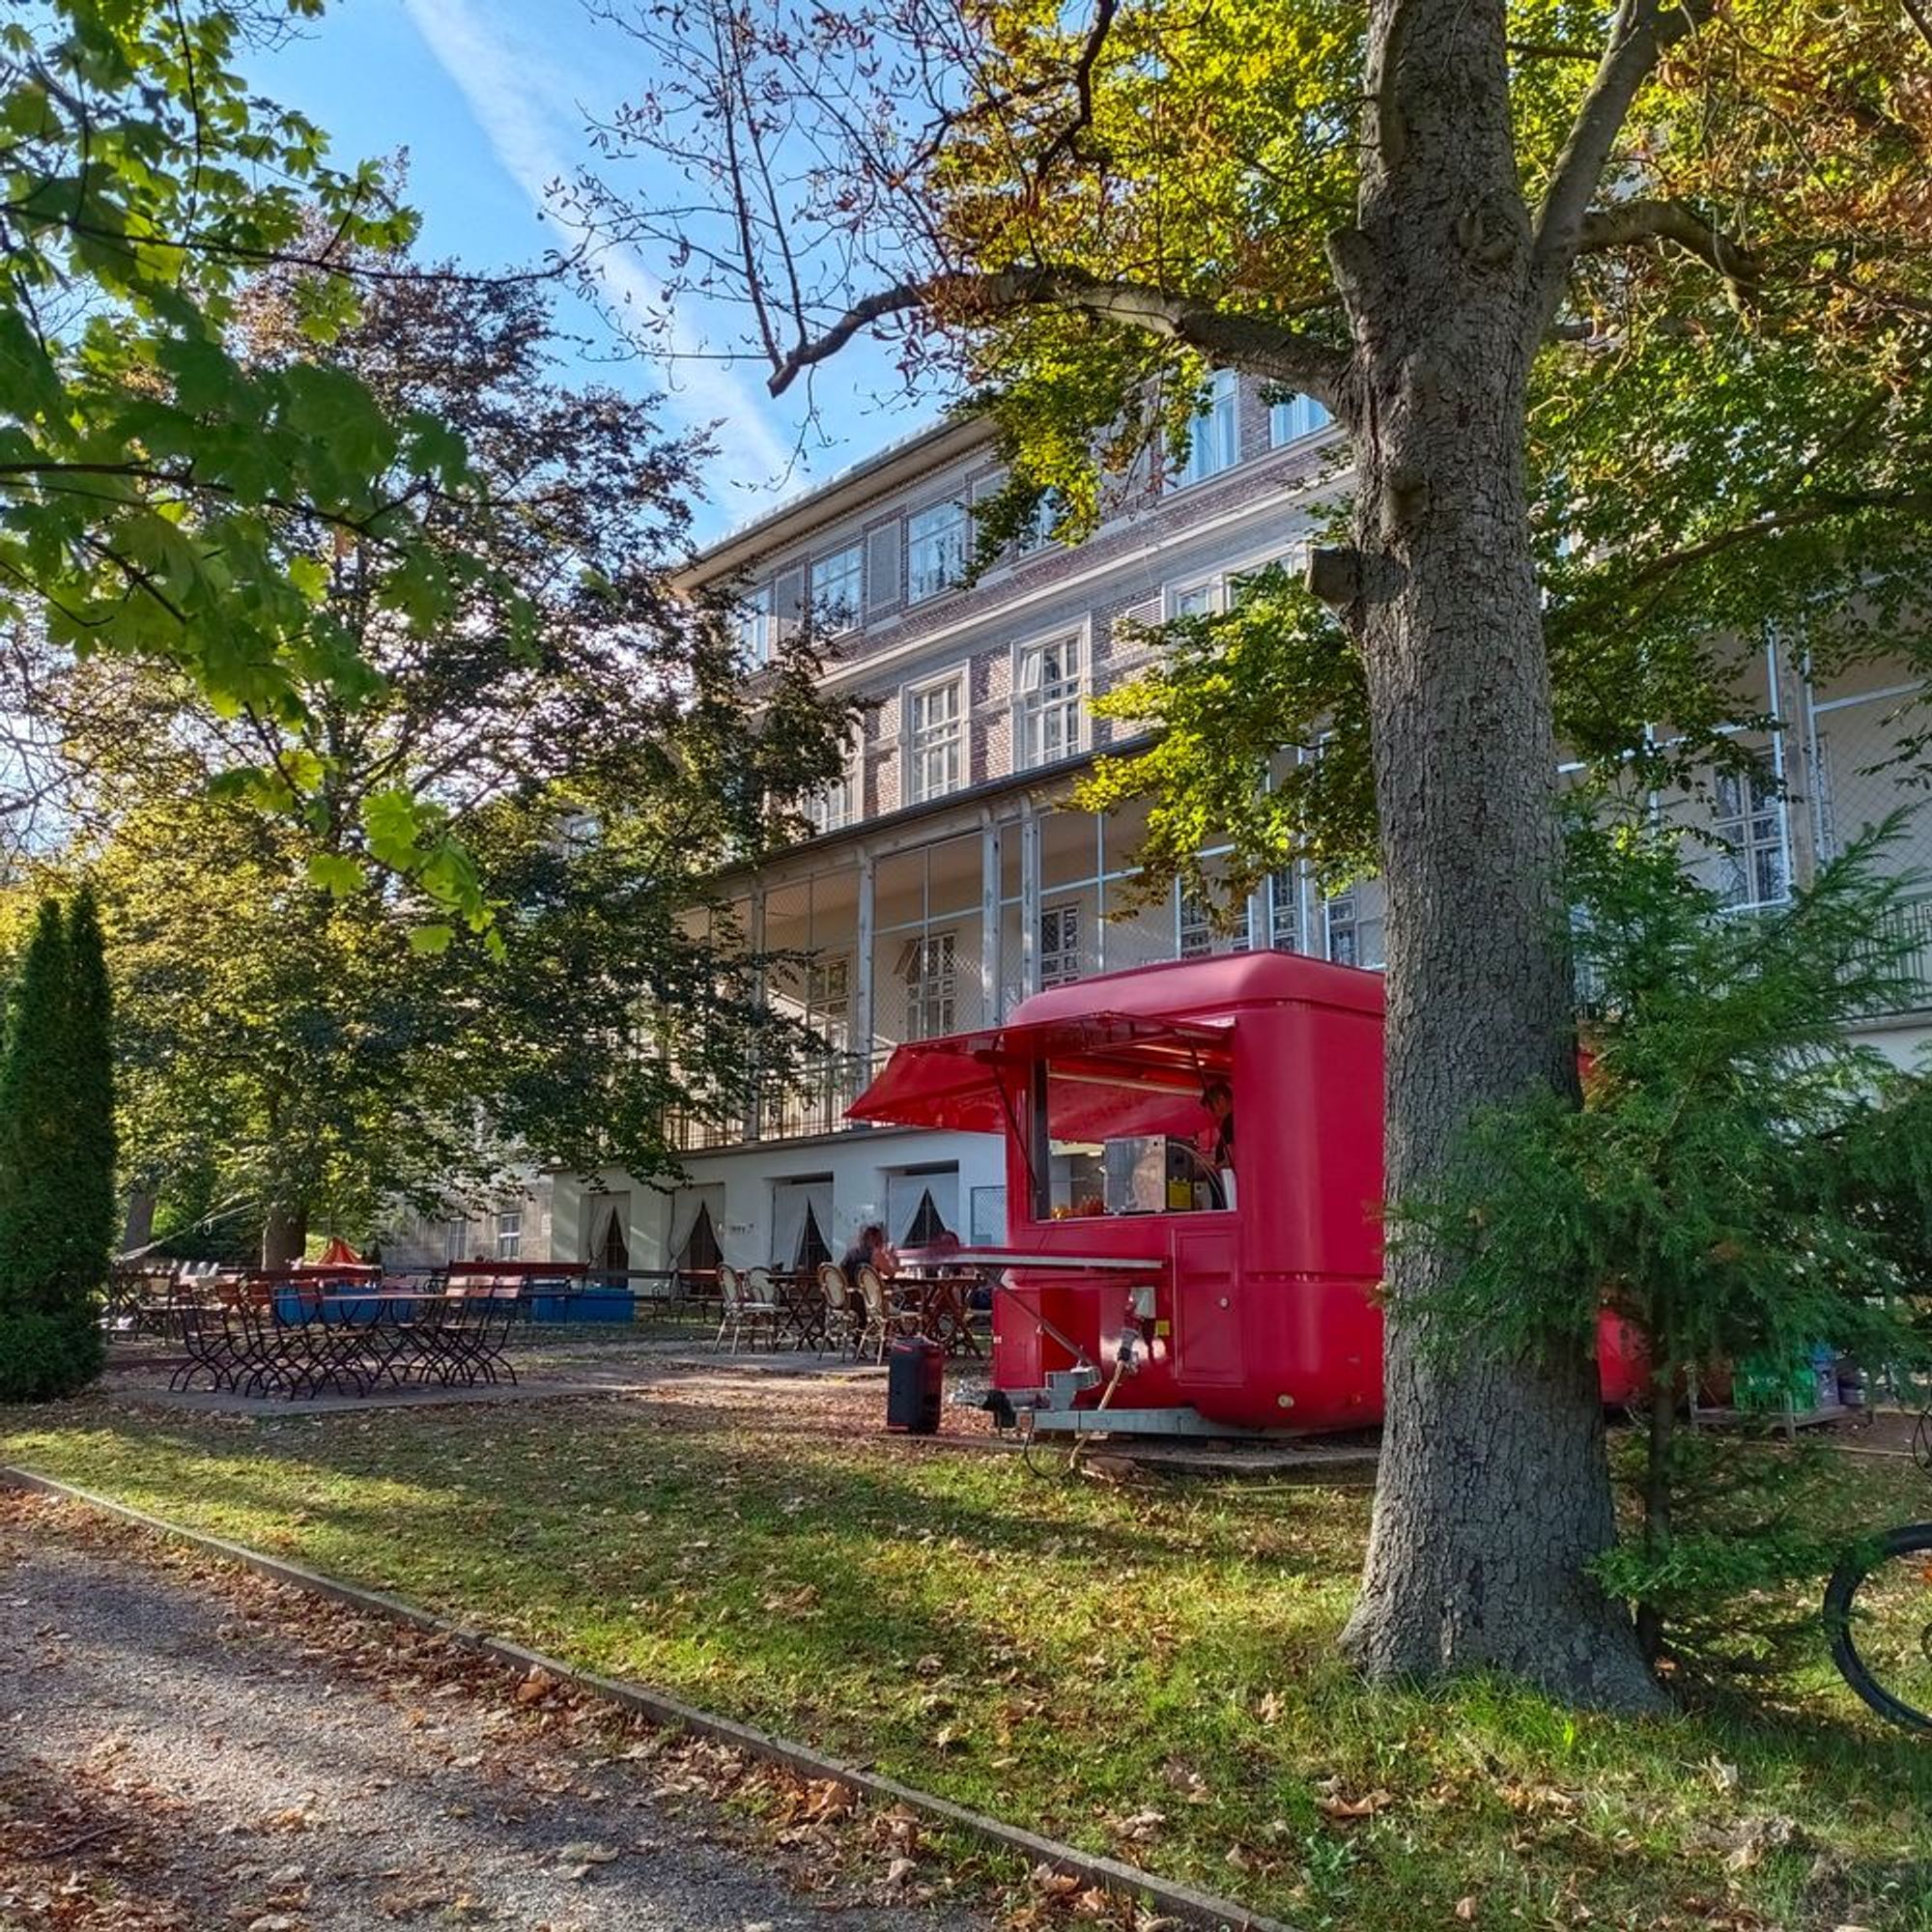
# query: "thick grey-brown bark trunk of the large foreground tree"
{"type": "Point", "coordinates": [1494, 1492]}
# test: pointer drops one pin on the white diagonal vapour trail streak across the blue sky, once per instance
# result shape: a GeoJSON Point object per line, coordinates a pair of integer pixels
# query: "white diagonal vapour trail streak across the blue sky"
{"type": "Point", "coordinates": [526, 111]}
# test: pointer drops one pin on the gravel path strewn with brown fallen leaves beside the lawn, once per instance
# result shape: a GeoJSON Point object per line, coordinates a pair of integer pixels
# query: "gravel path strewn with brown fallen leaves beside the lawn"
{"type": "Point", "coordinates": [183, 1746]}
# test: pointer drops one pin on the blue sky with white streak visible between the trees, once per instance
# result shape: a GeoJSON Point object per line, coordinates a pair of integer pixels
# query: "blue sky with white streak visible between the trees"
{"type": "Point", "coordinates": [490, 99]}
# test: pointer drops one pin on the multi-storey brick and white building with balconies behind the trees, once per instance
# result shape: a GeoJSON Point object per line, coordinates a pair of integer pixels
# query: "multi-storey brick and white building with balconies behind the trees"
{"type": "Point", "coordinates": [950, 874]}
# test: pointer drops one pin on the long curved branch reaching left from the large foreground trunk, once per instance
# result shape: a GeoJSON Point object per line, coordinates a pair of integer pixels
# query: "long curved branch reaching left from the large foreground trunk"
{"type": "Point", "coordinates": [1249, 343]}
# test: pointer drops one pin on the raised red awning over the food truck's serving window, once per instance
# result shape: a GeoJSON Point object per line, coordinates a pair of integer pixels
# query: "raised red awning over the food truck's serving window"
{"type": "Point", "coordinates": [957, 1081]}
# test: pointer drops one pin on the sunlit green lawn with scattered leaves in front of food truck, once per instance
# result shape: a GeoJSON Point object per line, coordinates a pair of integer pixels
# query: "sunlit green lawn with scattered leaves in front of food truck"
{"type": "Point", "coordinates": [1141, 1672]}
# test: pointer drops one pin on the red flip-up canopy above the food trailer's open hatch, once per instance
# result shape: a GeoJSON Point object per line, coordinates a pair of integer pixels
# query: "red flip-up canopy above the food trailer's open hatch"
{"type": "Point", "coordinates": [1122, 1073]}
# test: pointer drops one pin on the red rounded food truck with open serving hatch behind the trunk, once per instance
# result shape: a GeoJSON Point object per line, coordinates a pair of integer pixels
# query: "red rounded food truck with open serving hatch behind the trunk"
{"type": "Point", "coordinates": [1170, 1270]}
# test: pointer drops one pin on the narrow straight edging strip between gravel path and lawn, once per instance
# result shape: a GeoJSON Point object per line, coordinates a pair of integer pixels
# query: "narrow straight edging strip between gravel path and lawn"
{"type": "Point", "coordinates": [1181, 1902]}
